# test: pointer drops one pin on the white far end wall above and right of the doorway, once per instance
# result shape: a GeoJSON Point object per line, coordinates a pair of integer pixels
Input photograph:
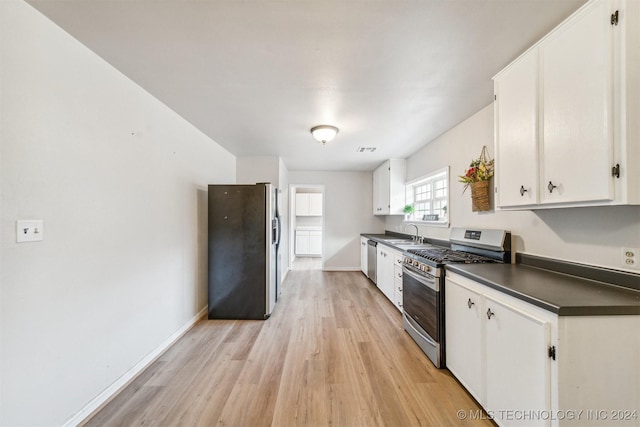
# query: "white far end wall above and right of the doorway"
{"type": "Point", "coordinates": [348, 211]}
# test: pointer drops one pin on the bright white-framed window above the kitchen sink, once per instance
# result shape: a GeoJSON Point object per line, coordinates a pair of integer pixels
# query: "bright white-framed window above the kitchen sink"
{"type": "Point", "coordinates": [429, 196]}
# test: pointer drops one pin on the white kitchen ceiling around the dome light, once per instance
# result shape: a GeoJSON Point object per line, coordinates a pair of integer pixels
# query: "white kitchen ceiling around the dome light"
{"type": "Point", "coordinates": [256, 75]}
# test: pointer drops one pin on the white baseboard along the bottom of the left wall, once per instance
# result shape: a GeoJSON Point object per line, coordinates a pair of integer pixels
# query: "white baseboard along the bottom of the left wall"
{"type": "Point", "coordinates": [112, 391]}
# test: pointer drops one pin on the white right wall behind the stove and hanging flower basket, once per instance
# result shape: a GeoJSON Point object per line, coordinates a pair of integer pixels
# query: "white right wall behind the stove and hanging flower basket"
{"type": "Point", "coordinates": [593, 235]}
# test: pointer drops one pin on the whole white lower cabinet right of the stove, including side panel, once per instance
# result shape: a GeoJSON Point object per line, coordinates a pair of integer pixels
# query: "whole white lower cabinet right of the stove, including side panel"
{"type": "Point", "coordinates": [528, 366]}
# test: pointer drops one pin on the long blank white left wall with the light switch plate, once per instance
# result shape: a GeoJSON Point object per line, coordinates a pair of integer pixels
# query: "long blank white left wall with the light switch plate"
{"type": "Point", "coordinates": [120, 182]}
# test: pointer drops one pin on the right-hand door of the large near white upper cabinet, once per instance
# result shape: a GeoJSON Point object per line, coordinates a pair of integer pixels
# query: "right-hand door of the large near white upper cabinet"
{"type": "Point", "coordinates": [577, 88]}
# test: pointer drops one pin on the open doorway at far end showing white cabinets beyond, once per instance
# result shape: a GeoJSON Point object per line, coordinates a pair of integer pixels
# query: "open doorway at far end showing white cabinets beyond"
{"type": "Point", "coordinates": [306, 233]}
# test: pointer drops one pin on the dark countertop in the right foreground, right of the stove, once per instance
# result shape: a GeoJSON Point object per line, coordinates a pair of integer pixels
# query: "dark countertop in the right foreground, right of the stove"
{"type": "Point", "coordinates": [560, 293]}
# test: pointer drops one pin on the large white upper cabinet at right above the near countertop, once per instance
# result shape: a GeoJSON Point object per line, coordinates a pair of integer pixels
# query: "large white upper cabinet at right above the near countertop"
{"type": "Point", "coordinates": [566, 114]}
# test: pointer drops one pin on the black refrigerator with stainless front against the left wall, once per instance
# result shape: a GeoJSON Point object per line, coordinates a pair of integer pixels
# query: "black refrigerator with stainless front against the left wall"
{"type": "Point", "coordinates": [244, 236]}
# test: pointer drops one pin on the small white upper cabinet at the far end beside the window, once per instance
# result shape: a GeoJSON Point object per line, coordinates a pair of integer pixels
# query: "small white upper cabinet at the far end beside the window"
{"type": "Point", "coordinates": [388, 188]}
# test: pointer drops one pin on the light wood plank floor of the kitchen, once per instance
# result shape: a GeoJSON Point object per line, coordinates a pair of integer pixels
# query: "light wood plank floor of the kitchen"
{"type": "Point", "coordinates": [333, 353]}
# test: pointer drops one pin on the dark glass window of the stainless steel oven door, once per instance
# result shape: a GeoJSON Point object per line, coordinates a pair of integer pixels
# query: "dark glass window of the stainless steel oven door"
{"type": "Point", "coordinates": [421, 304]}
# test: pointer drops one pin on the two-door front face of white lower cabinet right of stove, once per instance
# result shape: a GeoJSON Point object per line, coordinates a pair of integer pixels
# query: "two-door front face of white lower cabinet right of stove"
{"type": "Point", "coordinates": [499, 352]}
